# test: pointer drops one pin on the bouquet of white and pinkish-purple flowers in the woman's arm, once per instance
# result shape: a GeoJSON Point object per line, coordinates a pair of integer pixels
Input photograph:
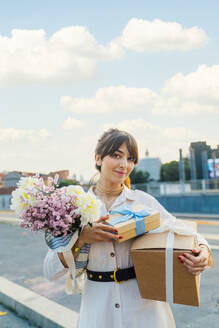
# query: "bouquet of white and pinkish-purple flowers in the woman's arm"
{"type": "Point", "coordinates": [57, 211]}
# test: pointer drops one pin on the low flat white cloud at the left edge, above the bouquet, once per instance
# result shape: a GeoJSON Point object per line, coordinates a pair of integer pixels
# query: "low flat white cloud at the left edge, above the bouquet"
{"type": "Point", "coordinates": [12, 134]}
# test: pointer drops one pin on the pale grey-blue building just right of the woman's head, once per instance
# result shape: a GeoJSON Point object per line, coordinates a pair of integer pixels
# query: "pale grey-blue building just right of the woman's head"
{"type": "Point", "coordinates": [150, 164]}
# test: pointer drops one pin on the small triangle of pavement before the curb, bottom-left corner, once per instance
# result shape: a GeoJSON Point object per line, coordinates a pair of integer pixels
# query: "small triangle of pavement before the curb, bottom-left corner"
{"type": "Point", "coordinates": [9, 319]}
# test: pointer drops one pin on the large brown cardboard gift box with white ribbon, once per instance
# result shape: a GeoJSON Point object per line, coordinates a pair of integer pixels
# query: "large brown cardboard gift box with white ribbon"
{"type": "Point", "coordinates": [149, 258]}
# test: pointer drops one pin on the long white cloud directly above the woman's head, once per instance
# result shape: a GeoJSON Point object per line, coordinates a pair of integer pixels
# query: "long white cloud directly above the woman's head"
{"type": "Point", "coordinates": [110, 99]}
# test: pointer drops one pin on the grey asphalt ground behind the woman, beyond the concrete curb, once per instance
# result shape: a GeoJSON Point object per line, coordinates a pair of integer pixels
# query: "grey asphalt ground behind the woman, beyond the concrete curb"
{"type": "Point", "coordinates": [21, 261]}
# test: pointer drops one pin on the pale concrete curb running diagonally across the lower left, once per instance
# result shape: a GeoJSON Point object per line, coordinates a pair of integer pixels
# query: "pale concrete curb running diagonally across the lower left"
{"type": "Point", "coordinates": [39, 310]}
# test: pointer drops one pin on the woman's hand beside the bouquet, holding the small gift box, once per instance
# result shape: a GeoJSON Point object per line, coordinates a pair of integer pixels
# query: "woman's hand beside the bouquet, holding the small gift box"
{"type": "Point", "coordinates": [100, 231]}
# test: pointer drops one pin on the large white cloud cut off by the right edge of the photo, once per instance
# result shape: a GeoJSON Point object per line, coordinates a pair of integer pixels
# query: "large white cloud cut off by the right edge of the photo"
{"type": "Point", "coordinates": [191, 94]}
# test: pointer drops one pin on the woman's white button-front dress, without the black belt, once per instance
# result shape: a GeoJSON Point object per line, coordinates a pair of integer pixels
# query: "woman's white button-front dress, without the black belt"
{"type": "Point", "coordinates": [108, 304]}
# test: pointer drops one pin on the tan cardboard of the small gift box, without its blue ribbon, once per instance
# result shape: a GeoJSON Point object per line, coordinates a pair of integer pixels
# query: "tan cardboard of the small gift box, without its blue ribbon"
{"type": "Point", "coordinates": [128, 228]}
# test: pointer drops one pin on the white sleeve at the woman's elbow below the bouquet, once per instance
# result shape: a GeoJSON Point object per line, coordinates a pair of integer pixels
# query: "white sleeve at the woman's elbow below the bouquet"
{"type": "Point", "coordinates": [53, 268]}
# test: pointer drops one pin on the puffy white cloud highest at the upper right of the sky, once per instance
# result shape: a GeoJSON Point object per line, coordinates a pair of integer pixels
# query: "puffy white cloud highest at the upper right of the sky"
{"type": "Point", "coordinates": [155, 36]}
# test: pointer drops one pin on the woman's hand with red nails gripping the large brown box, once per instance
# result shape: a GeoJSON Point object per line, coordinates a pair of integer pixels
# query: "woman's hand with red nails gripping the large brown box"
{"type": "Point", "coordinates": [196, 262]}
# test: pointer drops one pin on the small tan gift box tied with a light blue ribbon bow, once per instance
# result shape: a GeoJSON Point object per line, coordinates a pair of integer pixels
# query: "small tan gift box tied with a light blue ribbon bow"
{"type": "Point", "coordinates": [131, 222]}
